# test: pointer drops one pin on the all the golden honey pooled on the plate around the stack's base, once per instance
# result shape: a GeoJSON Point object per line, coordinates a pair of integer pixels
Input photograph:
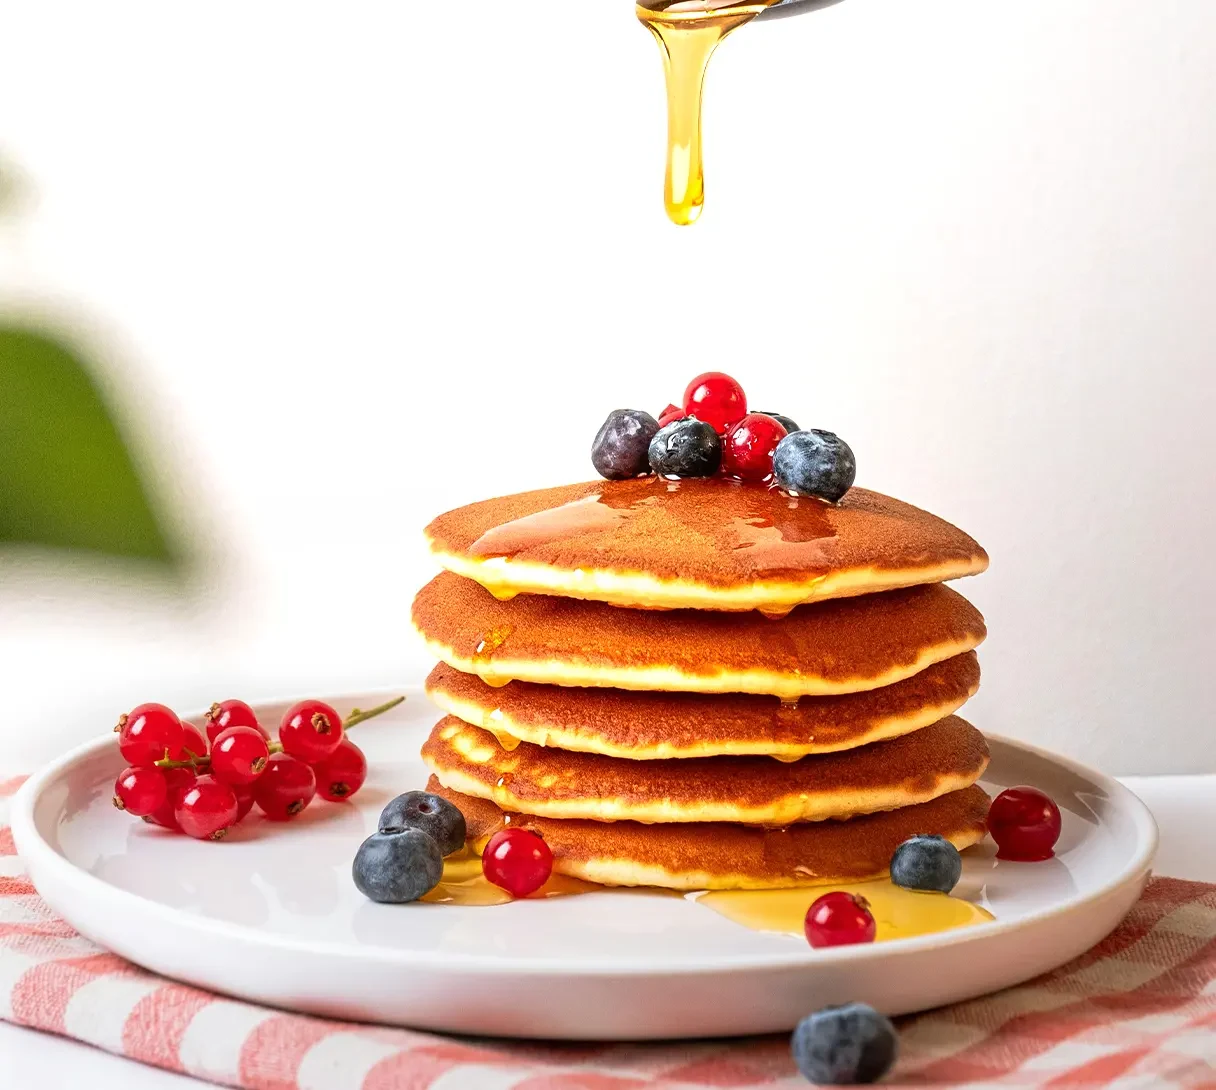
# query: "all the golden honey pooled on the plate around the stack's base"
{"type": "Point", "coordinates": [899, 914]}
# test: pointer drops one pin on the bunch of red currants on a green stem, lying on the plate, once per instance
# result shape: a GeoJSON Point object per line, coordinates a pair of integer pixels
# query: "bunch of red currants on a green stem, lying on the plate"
{"type": "Point", "coordinates": [204, 786]}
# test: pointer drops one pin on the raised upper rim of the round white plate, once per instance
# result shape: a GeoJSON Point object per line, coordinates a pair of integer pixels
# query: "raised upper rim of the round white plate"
{"type": "Point", "coordinates": [37, 853]}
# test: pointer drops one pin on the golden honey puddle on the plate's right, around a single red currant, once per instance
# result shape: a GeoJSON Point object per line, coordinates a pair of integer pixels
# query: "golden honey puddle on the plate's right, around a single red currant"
{"type": "Point", "coordinates": [899, 914]}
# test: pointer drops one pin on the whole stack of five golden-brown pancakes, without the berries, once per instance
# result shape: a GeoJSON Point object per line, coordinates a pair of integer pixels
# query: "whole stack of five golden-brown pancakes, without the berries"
{"type": "Point", "coordinates": [706, 684]}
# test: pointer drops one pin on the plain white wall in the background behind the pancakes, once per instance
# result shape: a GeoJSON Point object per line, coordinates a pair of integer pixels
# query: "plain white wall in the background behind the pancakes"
{"type": "Point", "coordinates": [351, 266]}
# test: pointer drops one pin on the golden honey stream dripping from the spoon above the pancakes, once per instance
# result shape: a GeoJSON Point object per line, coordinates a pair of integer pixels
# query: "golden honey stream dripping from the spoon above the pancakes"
{"type": "Point", "coordinates": [689, 32]}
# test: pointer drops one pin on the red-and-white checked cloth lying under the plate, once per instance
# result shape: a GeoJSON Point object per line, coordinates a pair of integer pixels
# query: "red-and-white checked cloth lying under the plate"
{"type": "Point", "coordinates": [1139, 1012]}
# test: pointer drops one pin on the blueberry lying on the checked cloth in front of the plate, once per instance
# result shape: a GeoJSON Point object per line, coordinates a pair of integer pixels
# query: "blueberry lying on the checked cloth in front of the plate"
{"type": "Point", "coordinates": [845, 1047]}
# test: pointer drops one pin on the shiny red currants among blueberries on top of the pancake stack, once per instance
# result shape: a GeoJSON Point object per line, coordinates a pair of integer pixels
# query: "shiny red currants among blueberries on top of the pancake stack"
{"type": "Point", "coordinates": [748, 439]}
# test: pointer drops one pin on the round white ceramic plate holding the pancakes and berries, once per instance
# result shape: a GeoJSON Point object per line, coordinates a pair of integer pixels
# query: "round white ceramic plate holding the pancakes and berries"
{"type": "Point", "coordinates": [272, 915]}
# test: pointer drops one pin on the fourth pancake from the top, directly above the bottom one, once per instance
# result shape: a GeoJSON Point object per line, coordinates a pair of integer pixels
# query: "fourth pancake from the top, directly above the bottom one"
{"type": "Point", "coordinates": [917, 768]}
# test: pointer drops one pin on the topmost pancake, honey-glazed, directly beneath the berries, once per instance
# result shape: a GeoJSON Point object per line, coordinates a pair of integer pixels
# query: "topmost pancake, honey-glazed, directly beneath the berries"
{"type": "Point", "coordinates": [713, 544]}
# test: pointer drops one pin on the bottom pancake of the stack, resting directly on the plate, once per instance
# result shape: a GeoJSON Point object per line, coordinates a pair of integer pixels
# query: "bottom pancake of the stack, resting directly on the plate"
{"type": "Point", "coordinates": [718, 856]}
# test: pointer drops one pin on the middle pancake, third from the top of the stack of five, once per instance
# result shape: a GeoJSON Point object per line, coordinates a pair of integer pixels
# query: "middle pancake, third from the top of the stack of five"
{"type": "Point", "coordinates": [662, 726]}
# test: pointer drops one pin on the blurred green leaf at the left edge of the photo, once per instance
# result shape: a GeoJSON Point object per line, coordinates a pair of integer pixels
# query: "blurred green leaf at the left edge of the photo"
{"type": "Point", "coordinates": [67, 480]}
